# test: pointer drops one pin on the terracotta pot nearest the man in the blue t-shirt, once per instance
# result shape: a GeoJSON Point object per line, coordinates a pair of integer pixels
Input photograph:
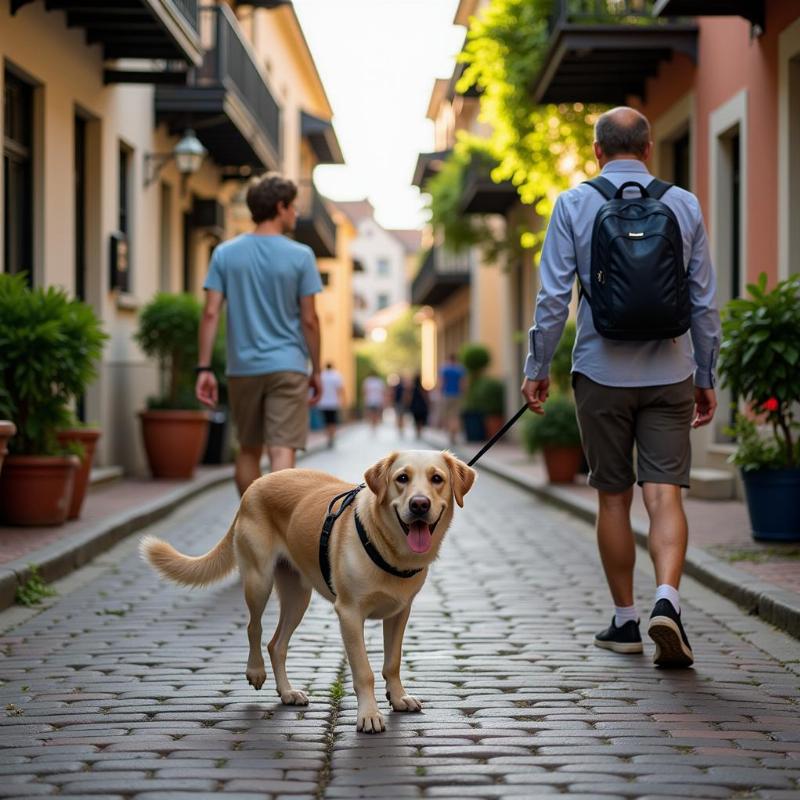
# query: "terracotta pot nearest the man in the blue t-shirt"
{"type": "Point", "coordinates": [174, 441]}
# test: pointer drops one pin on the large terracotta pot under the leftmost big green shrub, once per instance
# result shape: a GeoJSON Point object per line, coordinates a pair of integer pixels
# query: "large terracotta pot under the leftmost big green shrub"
{"type": "Point", "coordinates": [37, 490]}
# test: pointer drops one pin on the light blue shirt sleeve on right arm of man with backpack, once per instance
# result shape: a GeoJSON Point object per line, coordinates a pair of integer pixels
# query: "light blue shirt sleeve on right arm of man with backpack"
{"type": "Point", "coordinates": [705, 327]}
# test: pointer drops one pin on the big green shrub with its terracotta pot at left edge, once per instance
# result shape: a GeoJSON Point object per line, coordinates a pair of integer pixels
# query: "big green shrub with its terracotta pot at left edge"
{"type": "Point", "coordinates": [49, 346]}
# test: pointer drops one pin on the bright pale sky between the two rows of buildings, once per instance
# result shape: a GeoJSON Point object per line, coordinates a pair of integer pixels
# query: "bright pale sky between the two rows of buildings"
{"type": "Point", "coordinates": [378, 60]}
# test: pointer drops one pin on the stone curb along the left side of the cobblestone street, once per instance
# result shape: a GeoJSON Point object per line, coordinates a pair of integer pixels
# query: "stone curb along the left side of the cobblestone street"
{"type": "Point", "coordinates": [65, 556]}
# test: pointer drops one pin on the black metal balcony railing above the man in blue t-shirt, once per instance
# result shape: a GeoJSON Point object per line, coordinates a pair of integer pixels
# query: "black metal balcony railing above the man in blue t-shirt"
{"type": "Point", "coordinates": [231, 62]}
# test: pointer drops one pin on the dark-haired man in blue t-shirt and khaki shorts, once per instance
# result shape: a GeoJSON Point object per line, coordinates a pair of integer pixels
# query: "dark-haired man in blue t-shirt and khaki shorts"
{"type": "Point", "coordinates": [269, 283]}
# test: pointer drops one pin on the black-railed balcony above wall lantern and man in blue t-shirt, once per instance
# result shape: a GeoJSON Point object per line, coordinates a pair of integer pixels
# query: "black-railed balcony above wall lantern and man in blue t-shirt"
{"type": "Point", "coordinates": [226, 101]}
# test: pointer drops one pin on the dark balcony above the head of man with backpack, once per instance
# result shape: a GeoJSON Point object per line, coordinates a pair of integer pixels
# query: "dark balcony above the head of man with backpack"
{"type": "Point", "coordinates": [603, 51]}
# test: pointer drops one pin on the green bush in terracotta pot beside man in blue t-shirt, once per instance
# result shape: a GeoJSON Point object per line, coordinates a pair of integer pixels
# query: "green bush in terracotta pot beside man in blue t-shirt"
{"type": "Point", "coordinates": [174, 427]}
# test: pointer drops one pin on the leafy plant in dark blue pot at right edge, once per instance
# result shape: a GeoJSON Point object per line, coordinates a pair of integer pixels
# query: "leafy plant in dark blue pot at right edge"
{"type": "Point", "coordinates": [760, 362]}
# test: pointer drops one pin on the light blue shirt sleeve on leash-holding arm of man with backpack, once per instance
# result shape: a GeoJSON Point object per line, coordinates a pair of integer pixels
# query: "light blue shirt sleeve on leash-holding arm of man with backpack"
{"type": "Point", "coordinates": [557, 269]}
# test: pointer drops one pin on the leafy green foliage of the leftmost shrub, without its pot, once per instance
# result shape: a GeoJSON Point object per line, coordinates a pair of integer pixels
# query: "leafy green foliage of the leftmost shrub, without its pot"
{"type": "Point", "coordinates": [49, 349]}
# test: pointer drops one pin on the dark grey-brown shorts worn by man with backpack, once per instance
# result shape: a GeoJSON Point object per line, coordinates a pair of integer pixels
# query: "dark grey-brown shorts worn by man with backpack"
{"type": "Point", "coordinates": [654, 418]}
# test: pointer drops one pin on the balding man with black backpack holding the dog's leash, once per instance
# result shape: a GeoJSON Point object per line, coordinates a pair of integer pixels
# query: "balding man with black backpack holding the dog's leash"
{"type": "Point", "coordinates": [643, 363]}
